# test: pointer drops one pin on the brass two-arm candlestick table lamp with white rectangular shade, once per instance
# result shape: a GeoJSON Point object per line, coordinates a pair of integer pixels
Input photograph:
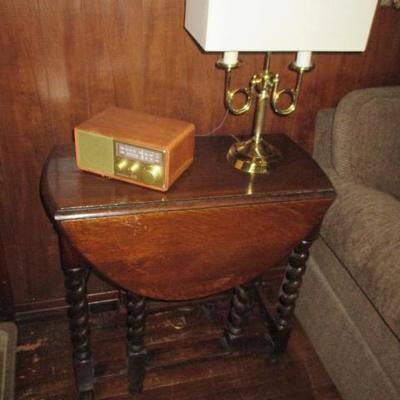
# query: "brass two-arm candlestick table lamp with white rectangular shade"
{"type": "Point", "coordinates": [230, 26]}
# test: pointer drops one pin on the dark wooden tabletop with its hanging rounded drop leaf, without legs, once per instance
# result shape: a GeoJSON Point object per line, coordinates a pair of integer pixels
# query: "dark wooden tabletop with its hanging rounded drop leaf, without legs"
{"type": "Point", "coordinates": [214, 229]}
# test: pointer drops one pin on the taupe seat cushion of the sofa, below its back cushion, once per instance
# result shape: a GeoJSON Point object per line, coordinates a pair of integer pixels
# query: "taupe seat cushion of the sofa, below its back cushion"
{"type": "Point", "coordinates": [362, 228]}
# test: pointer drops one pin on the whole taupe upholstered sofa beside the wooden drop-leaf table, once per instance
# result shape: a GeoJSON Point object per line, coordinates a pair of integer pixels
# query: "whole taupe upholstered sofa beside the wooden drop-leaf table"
{"type": "Point", "coordinates": [350, 300]}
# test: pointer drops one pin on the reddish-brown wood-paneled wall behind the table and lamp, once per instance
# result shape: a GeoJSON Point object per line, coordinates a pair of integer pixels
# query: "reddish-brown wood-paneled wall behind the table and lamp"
{"type": "Point", "coordinates": [64, 60]}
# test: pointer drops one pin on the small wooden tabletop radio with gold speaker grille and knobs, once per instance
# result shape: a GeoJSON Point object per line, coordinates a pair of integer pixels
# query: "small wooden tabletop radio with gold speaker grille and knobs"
{"type": "Point", "coordinates": [135, 147]}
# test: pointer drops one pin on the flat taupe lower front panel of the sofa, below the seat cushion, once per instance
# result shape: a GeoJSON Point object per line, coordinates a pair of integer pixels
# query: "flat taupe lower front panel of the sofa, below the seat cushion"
{"type": "Point", "coordinates": [359, 351]}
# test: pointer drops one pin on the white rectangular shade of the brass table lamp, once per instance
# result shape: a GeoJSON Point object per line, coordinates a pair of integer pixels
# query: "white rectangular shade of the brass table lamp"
{"type": "Point", "coordinates": [277, 25]}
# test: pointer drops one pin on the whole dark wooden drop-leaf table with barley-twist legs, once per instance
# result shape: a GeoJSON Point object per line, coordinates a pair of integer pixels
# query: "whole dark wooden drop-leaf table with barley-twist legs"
{"type": "Point", "coordinates": [216, 229]}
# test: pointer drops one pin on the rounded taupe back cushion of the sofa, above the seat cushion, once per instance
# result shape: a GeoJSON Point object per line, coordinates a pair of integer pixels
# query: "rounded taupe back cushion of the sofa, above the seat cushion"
{"type": "Point", "coordinates": [366, 138]}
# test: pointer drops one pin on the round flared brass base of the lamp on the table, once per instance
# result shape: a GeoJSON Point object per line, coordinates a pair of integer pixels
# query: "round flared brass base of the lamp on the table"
{"type": "Point", "coordinates": [253, 157]}
